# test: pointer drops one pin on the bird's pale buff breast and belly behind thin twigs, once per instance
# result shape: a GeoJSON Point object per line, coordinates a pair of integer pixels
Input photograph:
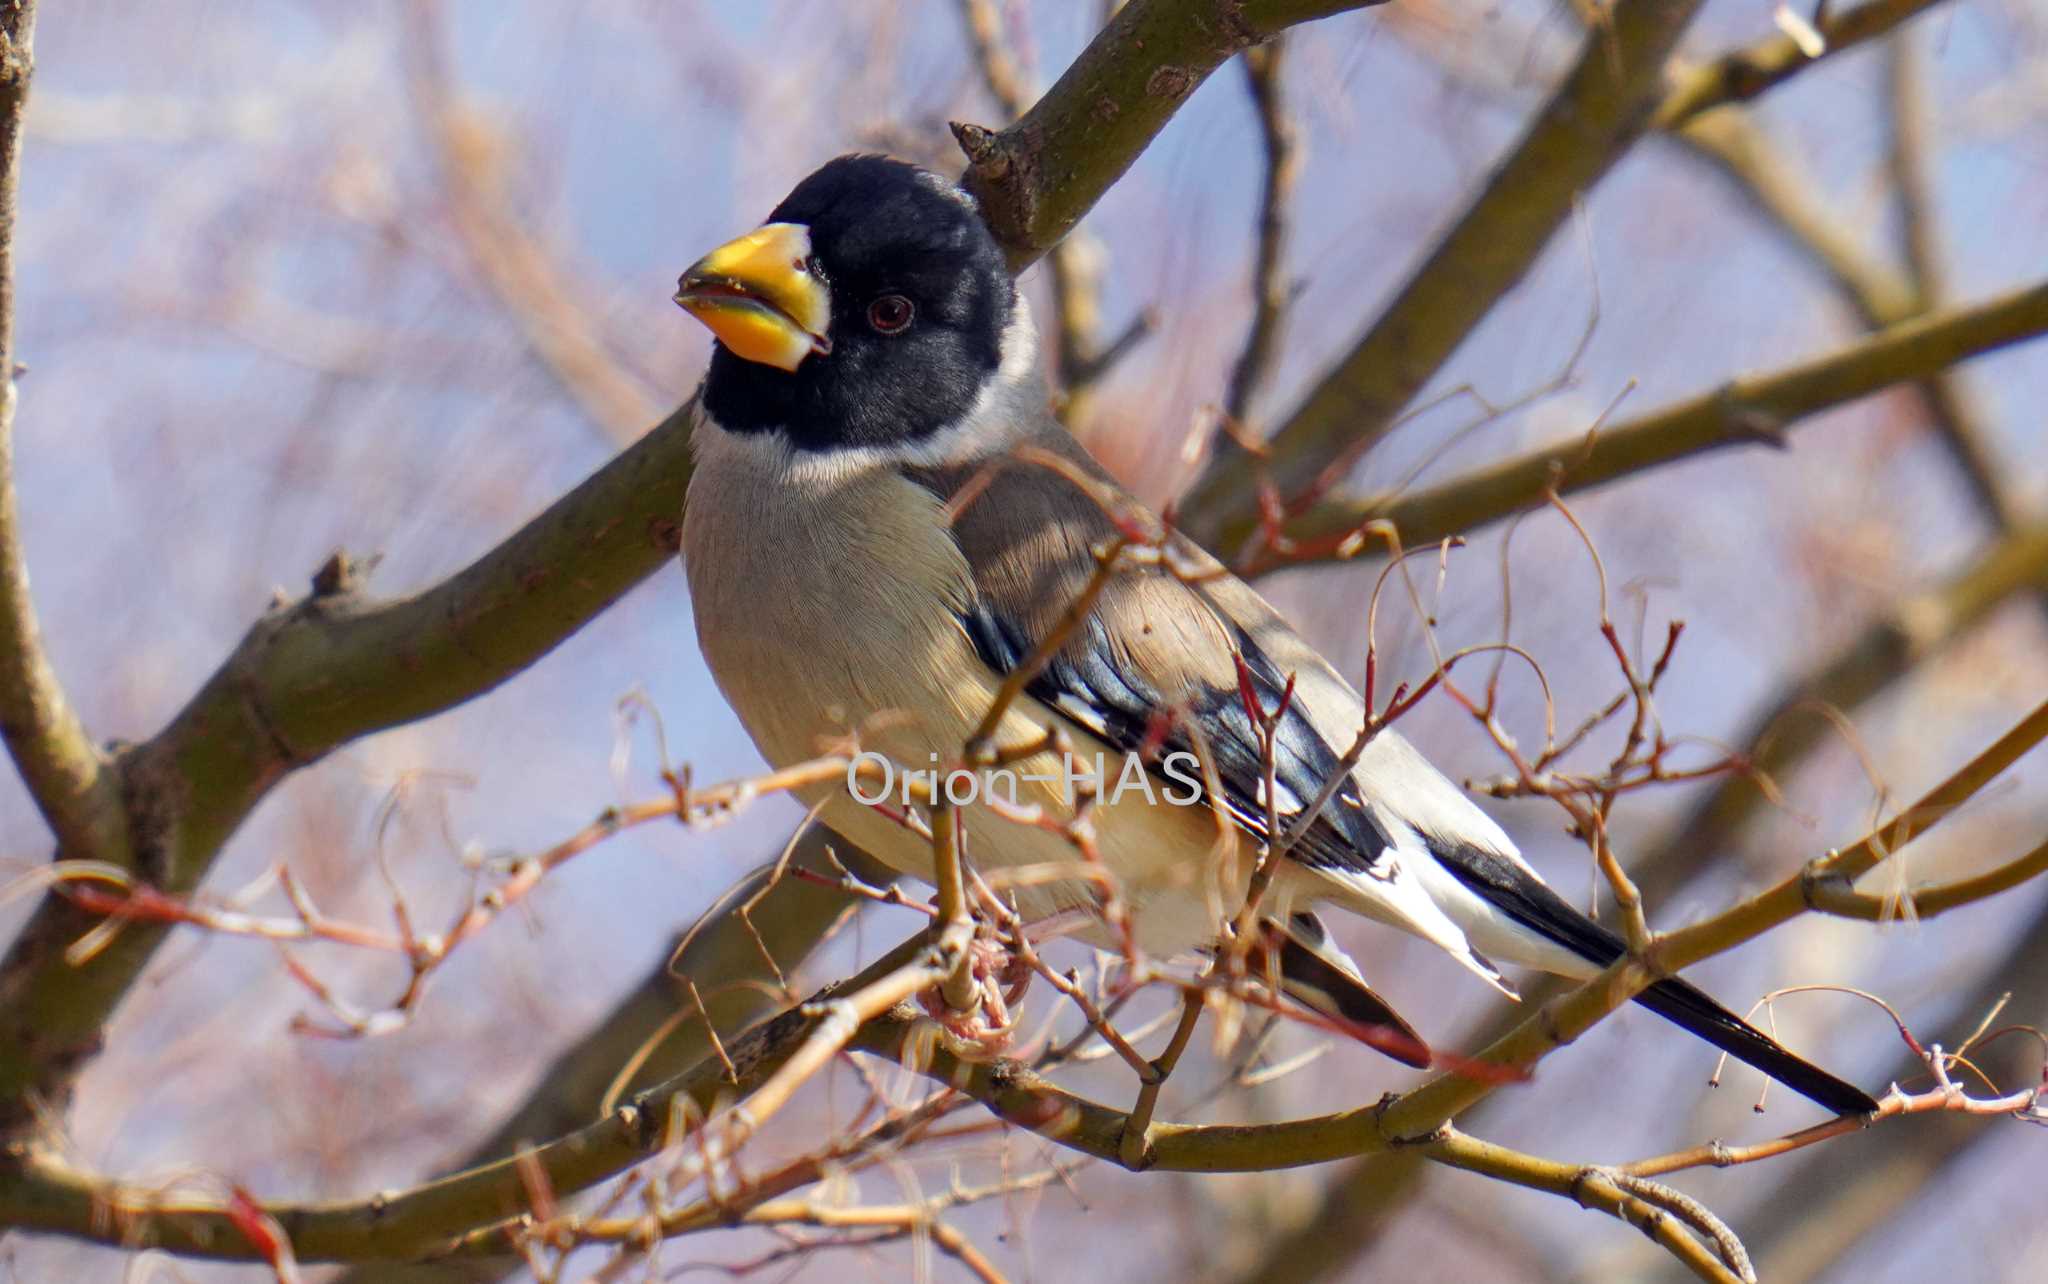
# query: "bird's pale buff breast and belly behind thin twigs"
{"type": "Point", "coordinates": [828, 605]}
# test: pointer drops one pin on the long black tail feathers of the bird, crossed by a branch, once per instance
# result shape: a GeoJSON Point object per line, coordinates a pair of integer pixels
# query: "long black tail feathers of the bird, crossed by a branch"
{"type": "Point", "coordinates": [1541, 910]}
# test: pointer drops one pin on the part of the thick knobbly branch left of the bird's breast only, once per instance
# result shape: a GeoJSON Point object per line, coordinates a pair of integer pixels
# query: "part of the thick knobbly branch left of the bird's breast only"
{"type": "Point", "coordinates": [306, 679]}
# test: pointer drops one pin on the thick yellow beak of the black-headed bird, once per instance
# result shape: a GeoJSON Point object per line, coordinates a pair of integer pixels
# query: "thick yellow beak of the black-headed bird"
{"type": "Point", "coordinates": [759, 296]}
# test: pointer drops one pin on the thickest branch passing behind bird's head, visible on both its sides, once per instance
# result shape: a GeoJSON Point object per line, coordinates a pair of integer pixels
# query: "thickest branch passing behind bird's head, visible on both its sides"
{"type": "Point", "coordinates": [335, 667]}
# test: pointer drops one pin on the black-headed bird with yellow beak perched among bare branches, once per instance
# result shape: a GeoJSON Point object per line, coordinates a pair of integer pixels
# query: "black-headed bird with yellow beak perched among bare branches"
{"type": "Point", "coordinates": [884, 523]}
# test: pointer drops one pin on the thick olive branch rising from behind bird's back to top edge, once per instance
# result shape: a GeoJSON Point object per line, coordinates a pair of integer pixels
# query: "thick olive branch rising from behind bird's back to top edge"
{"type": "Point", "coordinates": [1586, 126]}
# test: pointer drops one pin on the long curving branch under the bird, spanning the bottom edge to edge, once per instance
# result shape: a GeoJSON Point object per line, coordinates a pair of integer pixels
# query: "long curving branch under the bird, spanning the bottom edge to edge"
{"type": "Point", "coordinates": [869, 1013]}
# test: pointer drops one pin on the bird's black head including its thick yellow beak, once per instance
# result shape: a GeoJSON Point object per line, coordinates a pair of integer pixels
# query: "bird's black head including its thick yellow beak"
{"type": "Point", "coordinates": [912, 292]}
